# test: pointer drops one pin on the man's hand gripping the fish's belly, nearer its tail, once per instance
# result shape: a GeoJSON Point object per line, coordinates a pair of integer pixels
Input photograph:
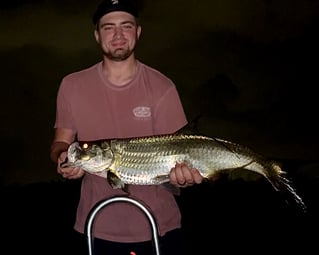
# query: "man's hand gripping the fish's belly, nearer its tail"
{"type": "Point", "coordinates": [183, 176]}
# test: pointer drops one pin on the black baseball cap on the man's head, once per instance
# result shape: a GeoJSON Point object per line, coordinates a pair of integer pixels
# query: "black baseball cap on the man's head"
{"type": "Point", "coordinates": [107, 6]}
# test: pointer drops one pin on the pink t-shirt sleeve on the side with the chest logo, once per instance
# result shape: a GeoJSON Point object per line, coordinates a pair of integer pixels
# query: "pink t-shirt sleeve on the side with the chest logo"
{"type": "Point", "coordinates": [169, 115]}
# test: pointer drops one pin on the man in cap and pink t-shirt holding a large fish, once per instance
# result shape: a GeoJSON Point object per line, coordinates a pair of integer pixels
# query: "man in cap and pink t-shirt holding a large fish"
{"type": "Point", "coordinates": [121, 97]}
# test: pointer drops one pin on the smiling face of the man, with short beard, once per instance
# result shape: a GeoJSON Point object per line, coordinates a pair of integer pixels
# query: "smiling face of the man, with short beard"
{"type": "Point", "coordinates": [117, 34]}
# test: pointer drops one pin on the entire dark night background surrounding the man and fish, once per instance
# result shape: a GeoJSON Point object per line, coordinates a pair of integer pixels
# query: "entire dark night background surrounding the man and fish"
{"type": "Point", "coordinates": [246, 72]}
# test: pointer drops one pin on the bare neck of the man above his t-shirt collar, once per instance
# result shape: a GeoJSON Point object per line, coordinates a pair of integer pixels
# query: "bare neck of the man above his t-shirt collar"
{"type": "Point", "coordinates": [120, 72]}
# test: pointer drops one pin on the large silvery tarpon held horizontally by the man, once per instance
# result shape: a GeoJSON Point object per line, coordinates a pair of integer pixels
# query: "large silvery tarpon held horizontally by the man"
{"type": "Point", "coordinates": [148, 160]}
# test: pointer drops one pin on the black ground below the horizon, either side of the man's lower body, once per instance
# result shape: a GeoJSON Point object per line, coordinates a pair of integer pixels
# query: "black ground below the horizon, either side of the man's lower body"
{"type": "Point", "coordinates": [228, 216]}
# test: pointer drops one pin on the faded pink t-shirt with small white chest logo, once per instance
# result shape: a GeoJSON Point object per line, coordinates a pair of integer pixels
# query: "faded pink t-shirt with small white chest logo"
{"type": "Point", "coordinates": [96, 109]}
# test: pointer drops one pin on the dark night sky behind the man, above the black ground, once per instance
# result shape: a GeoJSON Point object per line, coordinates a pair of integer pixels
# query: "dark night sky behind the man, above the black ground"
{"type": "Point", "coordinates": [246, 71]}
